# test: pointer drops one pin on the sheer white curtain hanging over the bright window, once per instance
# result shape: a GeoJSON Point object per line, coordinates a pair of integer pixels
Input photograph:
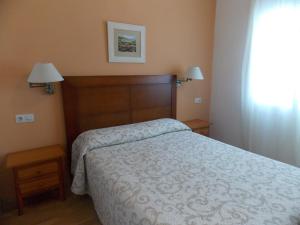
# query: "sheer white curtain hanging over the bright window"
{"type": "Point", "coordinates": [271, 81]}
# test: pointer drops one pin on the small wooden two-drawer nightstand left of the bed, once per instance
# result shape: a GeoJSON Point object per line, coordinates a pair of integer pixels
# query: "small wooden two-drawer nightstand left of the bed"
{"type": "Point", "coordinates": [36, 171]}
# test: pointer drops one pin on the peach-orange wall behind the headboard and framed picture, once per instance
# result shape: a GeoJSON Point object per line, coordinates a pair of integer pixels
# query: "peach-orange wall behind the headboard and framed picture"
{"type": "Point", "coordinates": [72, 35]}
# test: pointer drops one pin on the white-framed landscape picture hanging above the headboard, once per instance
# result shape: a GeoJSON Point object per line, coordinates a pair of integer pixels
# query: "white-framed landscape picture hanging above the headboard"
{"type": "Point", "coordinates": [126, 43]}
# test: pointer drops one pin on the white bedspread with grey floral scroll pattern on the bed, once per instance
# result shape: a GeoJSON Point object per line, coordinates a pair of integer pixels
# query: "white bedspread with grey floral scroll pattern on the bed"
{"type": "Point", "coordinates": [172, 176]}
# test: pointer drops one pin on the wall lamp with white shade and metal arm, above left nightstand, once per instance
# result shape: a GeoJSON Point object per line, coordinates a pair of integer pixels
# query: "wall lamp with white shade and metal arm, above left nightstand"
{"type": "Point", "coordinates": [44, 75]}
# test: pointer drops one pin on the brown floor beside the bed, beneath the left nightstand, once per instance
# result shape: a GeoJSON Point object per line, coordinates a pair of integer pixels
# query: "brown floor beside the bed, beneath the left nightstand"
{"type": "Point", "coordinates": [75, 210]}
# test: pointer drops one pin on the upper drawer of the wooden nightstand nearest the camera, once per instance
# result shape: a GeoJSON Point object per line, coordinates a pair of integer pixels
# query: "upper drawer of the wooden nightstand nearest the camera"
{"type": "Point", "coordinates": [36, 171]}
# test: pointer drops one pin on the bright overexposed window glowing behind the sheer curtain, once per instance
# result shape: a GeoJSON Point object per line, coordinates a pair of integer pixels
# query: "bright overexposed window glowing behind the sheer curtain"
{"type": "Point", "coordinates": [275, 57]}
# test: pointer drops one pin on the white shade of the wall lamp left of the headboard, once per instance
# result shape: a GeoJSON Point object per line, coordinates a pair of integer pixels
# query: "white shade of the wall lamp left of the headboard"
{"type": "Point", "coordinates": [44, 73]}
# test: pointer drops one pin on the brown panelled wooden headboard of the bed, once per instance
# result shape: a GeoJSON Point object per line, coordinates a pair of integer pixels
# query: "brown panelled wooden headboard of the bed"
{"type": "Point", "coordinates": [92, 102]}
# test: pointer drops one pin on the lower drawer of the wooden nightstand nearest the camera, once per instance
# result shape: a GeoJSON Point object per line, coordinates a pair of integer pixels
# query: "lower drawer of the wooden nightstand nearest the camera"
{"type": "Point", "coordinates": [39, 185]}
